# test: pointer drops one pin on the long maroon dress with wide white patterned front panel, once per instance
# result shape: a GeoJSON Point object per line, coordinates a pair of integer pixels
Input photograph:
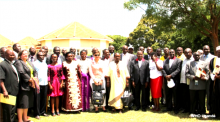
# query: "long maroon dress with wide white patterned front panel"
{"type": "Point", "coordinates": [72, 98]}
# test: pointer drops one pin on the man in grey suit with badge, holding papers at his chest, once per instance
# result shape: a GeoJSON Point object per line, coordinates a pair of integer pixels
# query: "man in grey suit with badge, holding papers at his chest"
{"type": "Point", "coordinates": [197, 83]}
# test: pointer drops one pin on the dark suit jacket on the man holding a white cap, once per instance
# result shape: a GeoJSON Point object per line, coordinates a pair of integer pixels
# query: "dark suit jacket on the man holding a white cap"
{"type": "Point", "coordinates": [174, 70]}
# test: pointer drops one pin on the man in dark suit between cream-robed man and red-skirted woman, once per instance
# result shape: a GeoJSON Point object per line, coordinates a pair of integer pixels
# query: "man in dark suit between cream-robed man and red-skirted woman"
{"type": "Point", "coordinates": [140, 78]}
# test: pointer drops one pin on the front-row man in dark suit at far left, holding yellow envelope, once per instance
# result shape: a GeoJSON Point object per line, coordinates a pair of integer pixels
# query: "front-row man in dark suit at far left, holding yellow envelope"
{"type": "Point", "coordinates": [9, 80]}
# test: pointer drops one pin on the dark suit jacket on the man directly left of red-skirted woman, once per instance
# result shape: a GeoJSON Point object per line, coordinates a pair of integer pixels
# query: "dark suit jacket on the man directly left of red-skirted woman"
{"type": "Point", "coordinates": [141, 74]}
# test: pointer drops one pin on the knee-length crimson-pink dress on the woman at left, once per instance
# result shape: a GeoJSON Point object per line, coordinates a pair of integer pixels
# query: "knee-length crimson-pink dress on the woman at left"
{"type": "Point", "coordinates": [55, 76]}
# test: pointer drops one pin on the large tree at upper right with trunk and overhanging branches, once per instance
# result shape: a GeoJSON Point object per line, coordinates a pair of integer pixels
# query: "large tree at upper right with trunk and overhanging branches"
{"type": "Point", "coordinates": [195, 16]}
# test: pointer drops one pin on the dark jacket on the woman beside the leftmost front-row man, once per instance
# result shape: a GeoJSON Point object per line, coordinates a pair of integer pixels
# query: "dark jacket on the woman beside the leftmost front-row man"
{"type": "Point", "coordinates": [24, 73]}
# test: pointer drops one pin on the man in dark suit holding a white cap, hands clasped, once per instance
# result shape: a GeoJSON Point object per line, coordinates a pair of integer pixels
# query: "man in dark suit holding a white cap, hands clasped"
{"type": "Point", "coordinates": [171, 71]}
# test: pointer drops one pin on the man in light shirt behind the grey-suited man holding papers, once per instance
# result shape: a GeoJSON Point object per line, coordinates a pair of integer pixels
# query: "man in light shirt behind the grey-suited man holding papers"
{"type": "Point", "coordinates": [207, 57]}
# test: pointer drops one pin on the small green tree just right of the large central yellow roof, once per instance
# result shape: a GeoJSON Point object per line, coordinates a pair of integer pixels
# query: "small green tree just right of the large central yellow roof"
{"type": "Point", "coordinates": [119, 41]}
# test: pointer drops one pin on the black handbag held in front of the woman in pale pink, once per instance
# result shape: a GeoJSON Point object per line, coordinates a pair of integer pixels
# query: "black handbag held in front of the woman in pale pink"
{"type": "Point", "coordinates": [97, 95]}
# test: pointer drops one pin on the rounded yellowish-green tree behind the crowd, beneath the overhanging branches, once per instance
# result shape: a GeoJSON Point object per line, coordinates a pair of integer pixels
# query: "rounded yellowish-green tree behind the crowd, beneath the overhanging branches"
{"type": "Point", "coordinates": [147, 34]}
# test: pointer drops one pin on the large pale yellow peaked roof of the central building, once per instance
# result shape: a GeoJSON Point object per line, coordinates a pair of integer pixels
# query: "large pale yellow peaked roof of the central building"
{"type": "Point", "coordinates": [75, 29]}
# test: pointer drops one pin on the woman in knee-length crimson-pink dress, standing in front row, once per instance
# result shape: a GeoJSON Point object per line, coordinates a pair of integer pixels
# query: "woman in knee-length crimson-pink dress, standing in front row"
{"type": "Point", "coordinates": [55, 82]}
